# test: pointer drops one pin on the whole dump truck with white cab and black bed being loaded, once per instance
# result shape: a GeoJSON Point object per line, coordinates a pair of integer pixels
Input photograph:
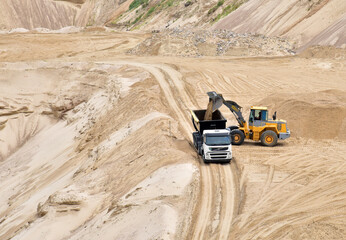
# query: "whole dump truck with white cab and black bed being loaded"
{"type": "Point", "coordinates": [212, 140]}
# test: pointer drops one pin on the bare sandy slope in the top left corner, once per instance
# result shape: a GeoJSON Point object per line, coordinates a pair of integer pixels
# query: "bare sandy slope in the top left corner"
{"type": "Point", "coordinates": [51, 14]}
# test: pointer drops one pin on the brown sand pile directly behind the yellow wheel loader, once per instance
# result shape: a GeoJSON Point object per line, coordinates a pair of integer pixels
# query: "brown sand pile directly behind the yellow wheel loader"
{"type": "Point", "coordinates": [319, 115]}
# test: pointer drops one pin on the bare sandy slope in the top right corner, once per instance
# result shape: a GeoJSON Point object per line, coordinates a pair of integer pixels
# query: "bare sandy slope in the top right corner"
{"type": "Point", "coordinates": [308, 22]}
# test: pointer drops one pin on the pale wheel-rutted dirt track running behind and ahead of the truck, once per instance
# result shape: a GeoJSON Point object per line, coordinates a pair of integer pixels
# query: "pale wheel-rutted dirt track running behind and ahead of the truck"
{"type": "Point", "coordinates": [176, 94]}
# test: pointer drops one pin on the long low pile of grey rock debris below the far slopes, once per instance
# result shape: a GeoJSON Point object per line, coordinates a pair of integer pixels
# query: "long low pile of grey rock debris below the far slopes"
{"type": "Point", "coordinates": [189, 43]}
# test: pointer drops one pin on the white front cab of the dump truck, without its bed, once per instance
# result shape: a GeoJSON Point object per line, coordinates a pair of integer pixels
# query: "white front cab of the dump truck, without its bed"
{"type": "Point", "coordinates": [217, 145]}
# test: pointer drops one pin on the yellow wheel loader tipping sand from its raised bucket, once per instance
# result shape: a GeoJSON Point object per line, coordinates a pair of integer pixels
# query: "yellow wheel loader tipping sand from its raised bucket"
{"type": "Point", "coordinates": [259, 128]}
